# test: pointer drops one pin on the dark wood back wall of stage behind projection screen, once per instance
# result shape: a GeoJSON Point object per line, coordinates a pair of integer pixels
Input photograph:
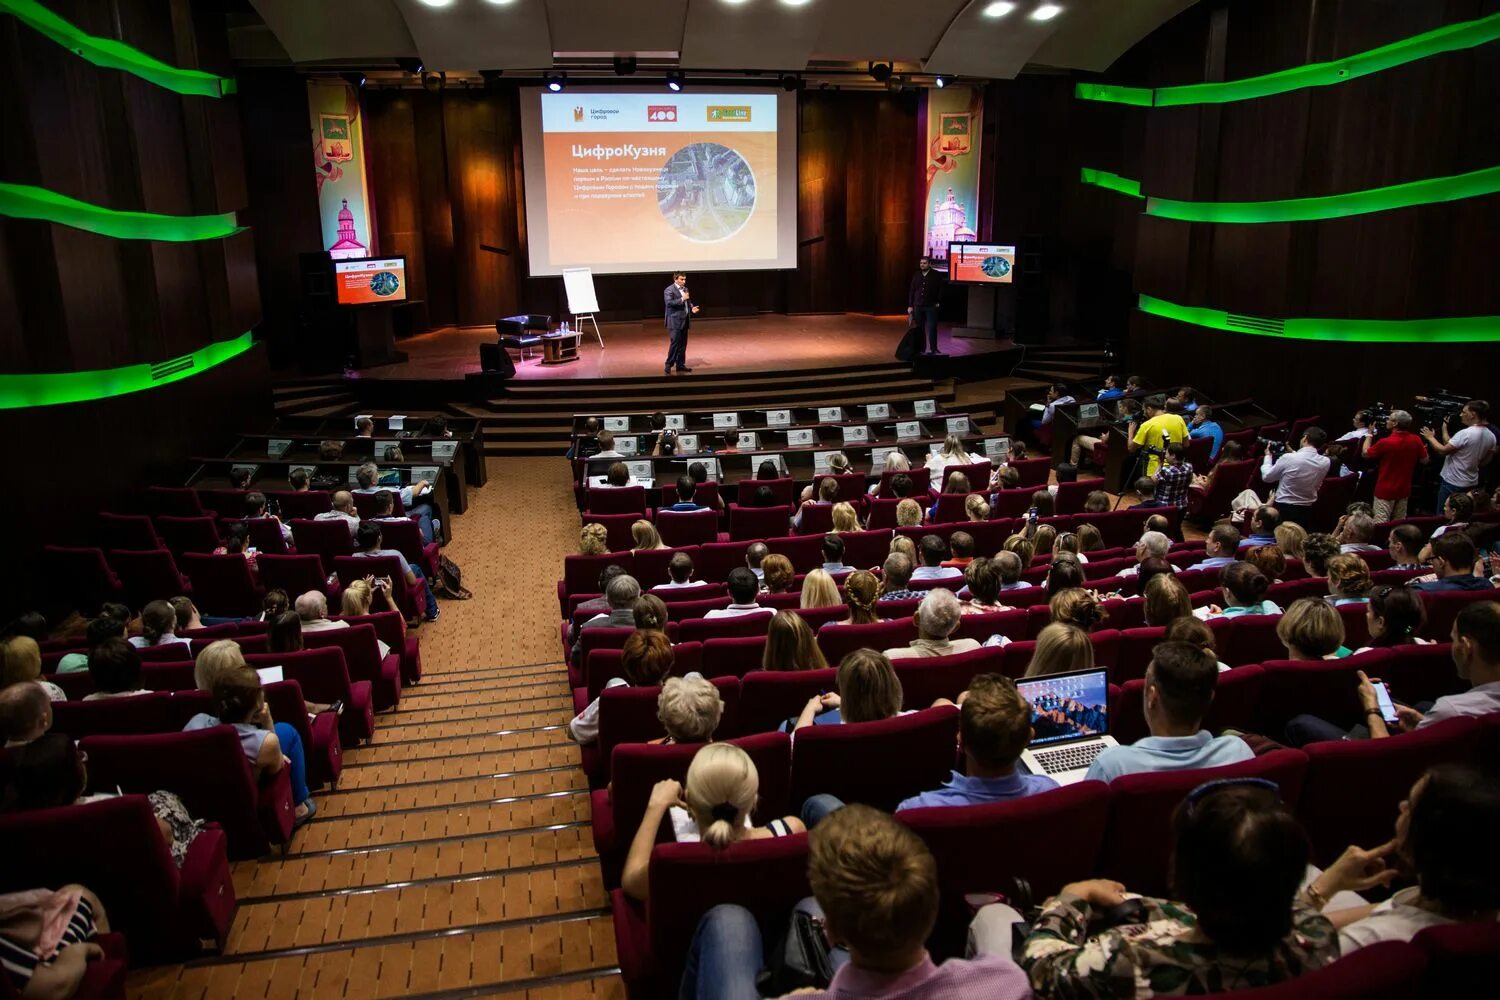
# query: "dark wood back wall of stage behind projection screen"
{"type": "Point", "coordinates": [448, 184]}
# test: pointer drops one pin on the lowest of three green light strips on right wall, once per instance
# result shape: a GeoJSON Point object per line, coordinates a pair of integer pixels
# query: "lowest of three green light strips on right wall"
{"type": "Point", "coordinates": [1441, 331]}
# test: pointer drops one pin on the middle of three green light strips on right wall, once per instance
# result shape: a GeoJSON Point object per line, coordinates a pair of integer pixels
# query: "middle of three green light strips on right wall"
{"type": "Point", "coordinates": [1355, 203]}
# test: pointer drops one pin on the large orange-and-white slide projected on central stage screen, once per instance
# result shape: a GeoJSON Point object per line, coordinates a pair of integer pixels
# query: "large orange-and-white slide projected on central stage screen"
{"type": "Point", "coordinates": [650, 181]}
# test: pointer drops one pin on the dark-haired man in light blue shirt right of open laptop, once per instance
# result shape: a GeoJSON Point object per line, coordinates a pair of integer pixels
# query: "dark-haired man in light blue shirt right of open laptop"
{"type": "Point", "coordinates": [1180, 689]}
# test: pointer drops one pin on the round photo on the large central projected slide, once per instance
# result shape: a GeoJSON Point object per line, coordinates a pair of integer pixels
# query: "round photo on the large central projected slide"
{"type": "Point", "coordinates": [707, 193]}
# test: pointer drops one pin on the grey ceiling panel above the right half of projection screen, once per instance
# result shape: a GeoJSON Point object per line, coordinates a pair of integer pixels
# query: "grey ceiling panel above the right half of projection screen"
{"type": "Point", "coordinates": [751, 35]}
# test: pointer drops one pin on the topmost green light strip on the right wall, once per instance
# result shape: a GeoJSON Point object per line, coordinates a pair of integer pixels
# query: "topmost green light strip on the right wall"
{"type": "Point", "coordinates": [1447, 40]}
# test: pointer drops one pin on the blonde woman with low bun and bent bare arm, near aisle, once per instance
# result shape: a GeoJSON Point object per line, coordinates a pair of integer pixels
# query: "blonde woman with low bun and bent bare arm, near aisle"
{"type": "Point", "coordinates": [713, 807]}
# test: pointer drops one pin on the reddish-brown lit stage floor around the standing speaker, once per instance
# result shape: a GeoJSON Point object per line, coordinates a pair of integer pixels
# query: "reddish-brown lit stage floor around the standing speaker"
{"type": "Point", "coordinates": [749, 344]}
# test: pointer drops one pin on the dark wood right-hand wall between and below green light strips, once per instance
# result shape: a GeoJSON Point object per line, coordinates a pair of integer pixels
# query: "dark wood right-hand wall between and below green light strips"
{"type": "Point", "coordinates": [1427, 119]}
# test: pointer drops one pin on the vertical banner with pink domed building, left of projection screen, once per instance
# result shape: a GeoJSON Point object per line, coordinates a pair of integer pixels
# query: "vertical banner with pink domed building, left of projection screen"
{"type": "Point", "coordinates": [338, 155]}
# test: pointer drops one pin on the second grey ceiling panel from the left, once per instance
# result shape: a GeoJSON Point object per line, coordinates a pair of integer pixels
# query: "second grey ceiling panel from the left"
{"type": "Point", "coordinates": [473, 35]}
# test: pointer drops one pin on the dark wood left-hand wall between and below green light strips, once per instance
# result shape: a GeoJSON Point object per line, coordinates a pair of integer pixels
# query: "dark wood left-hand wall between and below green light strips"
{"type": "Point", "coordinates": [71, 301]}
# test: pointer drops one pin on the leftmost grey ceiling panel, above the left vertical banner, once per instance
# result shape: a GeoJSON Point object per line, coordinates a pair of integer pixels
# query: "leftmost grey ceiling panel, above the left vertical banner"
{"type": "Point", "coordinates": [316, 31]}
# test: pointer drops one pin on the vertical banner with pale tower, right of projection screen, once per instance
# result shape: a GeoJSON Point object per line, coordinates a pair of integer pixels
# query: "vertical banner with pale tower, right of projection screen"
{"type": "Point", "coordinates": [952, 130]}
